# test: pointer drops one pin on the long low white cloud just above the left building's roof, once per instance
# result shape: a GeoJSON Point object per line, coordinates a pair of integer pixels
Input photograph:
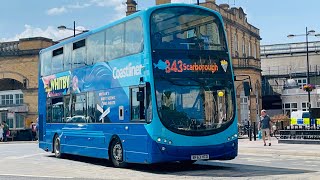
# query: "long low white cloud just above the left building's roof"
{"type": "Point", "coordinates": [50, 32]}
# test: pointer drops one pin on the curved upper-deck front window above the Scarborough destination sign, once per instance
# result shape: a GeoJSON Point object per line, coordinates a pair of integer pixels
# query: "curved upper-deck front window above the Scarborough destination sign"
{"type": "Point", "coordinates": [186, 28]}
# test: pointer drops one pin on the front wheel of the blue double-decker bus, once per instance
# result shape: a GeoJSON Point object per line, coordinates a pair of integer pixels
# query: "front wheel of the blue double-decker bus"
{"type": "Point", "coordinates": [116, 153]}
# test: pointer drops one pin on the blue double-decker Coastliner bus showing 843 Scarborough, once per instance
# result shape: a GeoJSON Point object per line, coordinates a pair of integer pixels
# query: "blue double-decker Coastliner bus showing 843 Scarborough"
{"type": "Point", "coordinates": [153, 87]}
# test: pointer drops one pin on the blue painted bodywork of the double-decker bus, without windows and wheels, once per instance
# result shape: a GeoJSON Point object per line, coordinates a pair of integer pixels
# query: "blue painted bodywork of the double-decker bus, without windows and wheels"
{"type": "Point", "coordinates": [139, 140]}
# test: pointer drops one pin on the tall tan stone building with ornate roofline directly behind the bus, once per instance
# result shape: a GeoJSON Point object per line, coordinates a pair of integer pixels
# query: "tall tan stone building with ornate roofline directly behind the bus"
{"type": "Point", "coordinates": [244, 43]}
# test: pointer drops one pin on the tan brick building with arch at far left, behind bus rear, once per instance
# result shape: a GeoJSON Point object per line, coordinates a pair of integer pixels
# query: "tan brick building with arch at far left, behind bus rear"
{"type": "Point", "coordinates": [19, 81]}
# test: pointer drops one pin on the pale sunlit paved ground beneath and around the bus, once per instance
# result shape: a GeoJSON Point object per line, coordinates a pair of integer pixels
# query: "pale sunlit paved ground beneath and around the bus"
{"type": "Point", "coordinates": [24, 160]}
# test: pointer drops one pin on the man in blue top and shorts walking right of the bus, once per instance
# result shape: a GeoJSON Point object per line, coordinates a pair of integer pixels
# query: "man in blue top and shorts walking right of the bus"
{"type": "Point", "coordinates": [265, 126]}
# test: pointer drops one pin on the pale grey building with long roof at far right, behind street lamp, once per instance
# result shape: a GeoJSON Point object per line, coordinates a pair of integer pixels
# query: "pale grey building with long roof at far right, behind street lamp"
{"type": "Point", "coordinates": [284, 63]}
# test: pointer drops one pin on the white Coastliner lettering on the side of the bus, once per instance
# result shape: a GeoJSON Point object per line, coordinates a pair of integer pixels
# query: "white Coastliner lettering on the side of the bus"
{"type": "Point", "coordinates": [127, 71]}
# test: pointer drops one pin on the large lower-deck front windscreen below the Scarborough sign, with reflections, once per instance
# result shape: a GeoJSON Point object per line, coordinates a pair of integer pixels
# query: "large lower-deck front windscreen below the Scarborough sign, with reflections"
{"type": "Point", "coordinates": [194, 106]}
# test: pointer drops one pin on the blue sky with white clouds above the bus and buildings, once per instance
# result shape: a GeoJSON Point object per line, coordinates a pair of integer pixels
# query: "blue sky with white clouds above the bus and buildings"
{"type": "Point", "coordinates": [37, 18]}
